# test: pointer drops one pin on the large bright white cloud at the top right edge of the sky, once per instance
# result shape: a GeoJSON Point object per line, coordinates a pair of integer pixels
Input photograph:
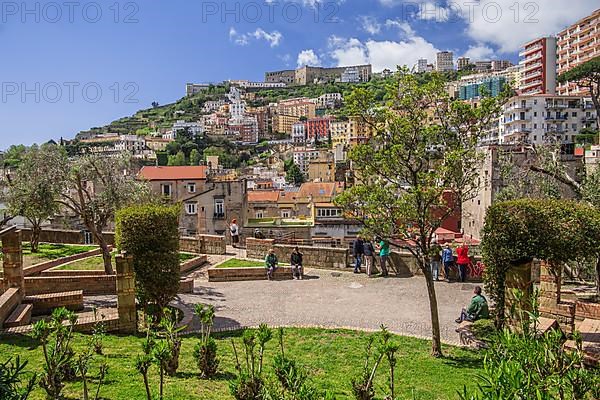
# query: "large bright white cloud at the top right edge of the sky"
{"type": "Point", "coordinates": [508, 24]}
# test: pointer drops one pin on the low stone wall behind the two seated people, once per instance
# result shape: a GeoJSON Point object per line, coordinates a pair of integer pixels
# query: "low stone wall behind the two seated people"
{"type": "Point", "coordinates": [314, 257]}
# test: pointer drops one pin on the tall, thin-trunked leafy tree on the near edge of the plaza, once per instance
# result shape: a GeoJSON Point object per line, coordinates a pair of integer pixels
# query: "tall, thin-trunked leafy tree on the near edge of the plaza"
{"type": "Point", "coordinates": [421, 162]}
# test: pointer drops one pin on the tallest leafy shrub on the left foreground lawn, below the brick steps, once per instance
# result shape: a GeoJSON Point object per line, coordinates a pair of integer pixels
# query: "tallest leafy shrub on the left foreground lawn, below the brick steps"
{"type": "Point", "coordinates": [55, 337]}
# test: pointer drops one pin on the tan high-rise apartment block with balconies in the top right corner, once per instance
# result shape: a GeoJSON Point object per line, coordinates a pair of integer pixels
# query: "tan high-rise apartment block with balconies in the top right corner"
{"type": "Point", "coordinates": [577, 44]}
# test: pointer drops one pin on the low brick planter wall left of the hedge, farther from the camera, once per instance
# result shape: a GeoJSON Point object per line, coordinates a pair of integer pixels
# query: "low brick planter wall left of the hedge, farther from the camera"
{"type": "Point", "coordinates": [90, 284]}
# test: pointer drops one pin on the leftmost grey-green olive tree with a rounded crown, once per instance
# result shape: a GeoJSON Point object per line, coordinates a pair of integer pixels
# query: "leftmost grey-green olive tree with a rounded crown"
{"type": "Point", "coordinates": [35, 187]}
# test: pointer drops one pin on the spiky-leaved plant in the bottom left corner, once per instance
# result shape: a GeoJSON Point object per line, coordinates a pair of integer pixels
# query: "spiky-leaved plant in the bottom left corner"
{"type": "Point", "coordinates": [14, 385]}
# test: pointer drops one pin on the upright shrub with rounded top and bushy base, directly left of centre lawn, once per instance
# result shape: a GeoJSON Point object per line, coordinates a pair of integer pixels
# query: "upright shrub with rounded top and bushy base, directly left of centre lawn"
{"type": "Point", "coordinates": [205, 352]}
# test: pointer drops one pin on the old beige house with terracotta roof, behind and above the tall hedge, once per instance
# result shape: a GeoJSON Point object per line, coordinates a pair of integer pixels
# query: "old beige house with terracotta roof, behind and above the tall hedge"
{"type": "Point", "coordinates": [207, 202]}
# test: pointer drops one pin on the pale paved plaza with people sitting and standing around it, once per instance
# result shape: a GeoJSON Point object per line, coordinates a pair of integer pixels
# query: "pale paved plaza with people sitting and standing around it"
{"type": "Point", "coordinates": [330, 299]}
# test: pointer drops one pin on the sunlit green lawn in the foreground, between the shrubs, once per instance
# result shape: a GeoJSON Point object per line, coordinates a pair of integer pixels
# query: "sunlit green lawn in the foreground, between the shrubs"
{"type": "Point", "coordinates": [332, 358]}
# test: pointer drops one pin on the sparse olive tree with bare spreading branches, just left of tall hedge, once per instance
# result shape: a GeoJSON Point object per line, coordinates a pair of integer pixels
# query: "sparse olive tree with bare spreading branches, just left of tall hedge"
{"type": "Point", "coordinates": [96, 187]}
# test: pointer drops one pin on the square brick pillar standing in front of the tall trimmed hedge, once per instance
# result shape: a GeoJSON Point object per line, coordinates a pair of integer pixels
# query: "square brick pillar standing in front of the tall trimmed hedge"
{"type": "Point", "coordinates": [126, 294]}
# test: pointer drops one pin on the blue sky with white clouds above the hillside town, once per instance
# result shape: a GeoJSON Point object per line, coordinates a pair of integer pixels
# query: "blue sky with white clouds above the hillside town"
{"type": "Point", "coordinates": [56, 57]}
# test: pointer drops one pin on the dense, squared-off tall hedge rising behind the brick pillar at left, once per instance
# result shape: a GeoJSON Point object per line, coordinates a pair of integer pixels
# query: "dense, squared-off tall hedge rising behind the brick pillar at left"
{"type": "Point", "coordinates": [150, 233]}
